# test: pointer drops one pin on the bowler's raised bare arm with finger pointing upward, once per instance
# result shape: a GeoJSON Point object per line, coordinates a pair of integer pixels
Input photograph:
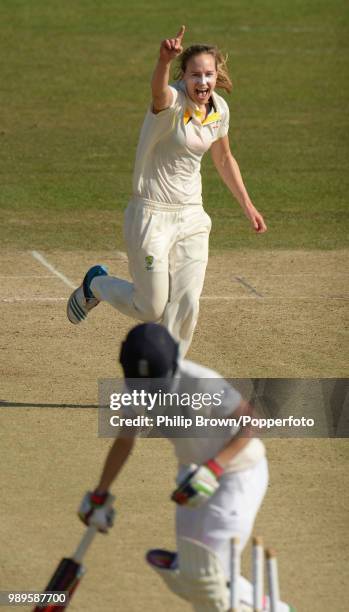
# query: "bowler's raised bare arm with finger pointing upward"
{"type": "Point", "coordinates": [169, 50]}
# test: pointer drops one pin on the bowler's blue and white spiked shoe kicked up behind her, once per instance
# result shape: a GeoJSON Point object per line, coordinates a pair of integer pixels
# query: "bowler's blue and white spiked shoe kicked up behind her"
{"type": "Point", "coordinates": [82, 299]}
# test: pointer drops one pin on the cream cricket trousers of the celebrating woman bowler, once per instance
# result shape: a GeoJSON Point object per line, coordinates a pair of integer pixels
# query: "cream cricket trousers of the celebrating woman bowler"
{"type": "Point", "coordinates": [167, 248]}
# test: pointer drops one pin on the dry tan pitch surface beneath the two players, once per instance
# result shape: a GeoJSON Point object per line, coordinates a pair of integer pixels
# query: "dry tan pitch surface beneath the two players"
{"type": "Point", "coordinates": [276, 314]}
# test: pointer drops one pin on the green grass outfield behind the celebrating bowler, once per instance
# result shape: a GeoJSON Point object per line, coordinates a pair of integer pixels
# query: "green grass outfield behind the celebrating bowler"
{"type": "Point", "coordinates": [75, 86]}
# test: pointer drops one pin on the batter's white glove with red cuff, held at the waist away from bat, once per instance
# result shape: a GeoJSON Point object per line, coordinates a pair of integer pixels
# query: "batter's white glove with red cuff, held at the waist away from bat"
{"type": "Point", "coordinates": [199, 485]}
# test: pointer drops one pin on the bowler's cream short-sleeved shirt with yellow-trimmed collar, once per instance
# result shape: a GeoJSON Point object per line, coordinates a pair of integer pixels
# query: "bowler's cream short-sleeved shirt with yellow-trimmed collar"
{"type": "Point", "coordinates": [171, 146]}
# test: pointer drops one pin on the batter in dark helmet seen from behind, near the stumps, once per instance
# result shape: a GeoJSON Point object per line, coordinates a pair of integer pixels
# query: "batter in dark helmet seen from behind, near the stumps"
{"type": "Point", "coordinates": [221, 480]}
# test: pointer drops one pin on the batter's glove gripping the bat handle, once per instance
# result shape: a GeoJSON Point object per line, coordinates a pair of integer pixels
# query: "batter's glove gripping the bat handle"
{"type": "Point", "coordinates": [96, 509]}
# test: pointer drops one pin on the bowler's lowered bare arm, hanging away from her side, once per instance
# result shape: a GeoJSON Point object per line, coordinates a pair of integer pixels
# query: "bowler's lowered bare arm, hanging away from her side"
{"type": "Point", "coordinates": [229, 172]}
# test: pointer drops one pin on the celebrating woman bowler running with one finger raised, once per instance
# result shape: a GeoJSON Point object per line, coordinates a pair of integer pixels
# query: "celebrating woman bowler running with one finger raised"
{"type": "Point", "coordinates": [166, 229]}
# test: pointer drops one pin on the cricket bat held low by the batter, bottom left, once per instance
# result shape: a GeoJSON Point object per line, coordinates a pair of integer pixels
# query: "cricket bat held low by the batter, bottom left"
{"type": "Point", "coordinates": [68, 573]}
